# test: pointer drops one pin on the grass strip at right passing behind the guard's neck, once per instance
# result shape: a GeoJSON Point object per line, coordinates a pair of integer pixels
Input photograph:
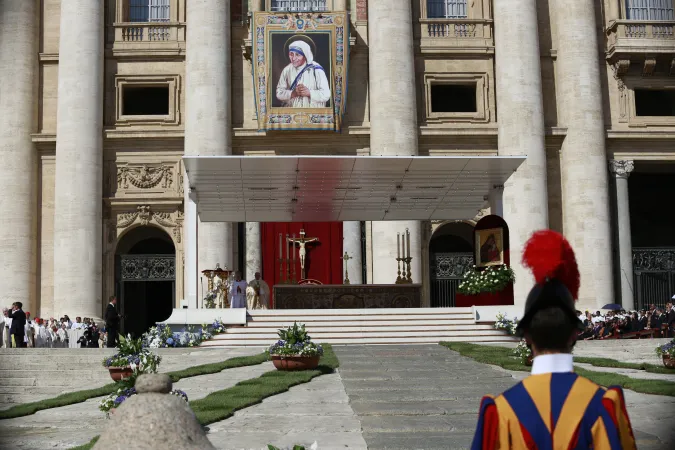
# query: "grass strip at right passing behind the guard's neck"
{"type": "Point", "coordinates": [496, 355]}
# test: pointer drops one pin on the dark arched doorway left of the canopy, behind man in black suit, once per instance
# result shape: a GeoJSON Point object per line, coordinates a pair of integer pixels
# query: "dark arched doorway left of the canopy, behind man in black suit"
{"type": "Point", "coordinates": [145, 277]}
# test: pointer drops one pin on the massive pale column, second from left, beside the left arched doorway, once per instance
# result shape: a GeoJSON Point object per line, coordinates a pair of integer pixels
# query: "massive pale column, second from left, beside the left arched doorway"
{"type": "Point", "coordinates": [78, 196]}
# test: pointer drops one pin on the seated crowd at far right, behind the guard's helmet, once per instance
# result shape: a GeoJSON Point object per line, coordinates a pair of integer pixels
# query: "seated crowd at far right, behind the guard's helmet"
{"type": "Point", "coordinates": [652, 322]}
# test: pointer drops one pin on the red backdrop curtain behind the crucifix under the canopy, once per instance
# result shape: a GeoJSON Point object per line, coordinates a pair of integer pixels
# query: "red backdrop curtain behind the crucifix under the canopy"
{"type": "Point", "coordinates": [322, 261]}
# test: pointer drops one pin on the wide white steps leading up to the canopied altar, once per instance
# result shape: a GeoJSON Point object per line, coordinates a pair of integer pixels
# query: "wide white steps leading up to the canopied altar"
{"type": "Point", "coordinates": [362, 326]}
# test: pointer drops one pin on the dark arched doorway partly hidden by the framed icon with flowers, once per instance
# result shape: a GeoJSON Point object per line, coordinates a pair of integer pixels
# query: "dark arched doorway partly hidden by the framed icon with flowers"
{"type": "Point", "coordinates": [450, 255]}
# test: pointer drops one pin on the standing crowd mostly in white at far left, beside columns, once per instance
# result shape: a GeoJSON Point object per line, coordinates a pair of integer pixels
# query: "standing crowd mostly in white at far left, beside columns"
{"type": "Point", "coordinates": [19, 330]}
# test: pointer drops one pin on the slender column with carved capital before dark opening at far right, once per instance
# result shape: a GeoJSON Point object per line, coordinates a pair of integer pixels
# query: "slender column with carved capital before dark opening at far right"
{"type": "Point", "coordinates": [622, 170]}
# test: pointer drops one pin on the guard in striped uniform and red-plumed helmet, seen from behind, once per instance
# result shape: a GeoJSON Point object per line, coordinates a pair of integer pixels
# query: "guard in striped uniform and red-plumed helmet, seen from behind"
{"type": "Point", "coordinates": [553, 408]}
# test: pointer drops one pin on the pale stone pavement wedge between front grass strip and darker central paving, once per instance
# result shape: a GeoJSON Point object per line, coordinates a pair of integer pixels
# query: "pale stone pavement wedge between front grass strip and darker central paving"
{"type": "Point", "coordinates": [315, 411]}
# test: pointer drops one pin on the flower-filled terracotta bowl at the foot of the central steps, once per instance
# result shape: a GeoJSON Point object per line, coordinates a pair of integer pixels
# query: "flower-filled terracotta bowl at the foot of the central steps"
{"type": "Point", "coordinates": [295, 350]}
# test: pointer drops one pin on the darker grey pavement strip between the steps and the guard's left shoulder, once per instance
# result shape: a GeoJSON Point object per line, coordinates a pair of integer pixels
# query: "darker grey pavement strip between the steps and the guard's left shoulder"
{"type": "Point", "coordinates": [416, 397]}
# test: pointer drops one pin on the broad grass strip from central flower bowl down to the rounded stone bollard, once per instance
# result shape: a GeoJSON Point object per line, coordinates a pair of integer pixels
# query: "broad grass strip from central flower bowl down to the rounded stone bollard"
{"type": "Point", "coordinates": [221, 405]}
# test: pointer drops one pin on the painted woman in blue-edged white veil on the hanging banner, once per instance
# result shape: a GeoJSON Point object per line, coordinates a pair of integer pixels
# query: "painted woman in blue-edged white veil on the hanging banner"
{"type": "Point", "coordinates": [303, 82]}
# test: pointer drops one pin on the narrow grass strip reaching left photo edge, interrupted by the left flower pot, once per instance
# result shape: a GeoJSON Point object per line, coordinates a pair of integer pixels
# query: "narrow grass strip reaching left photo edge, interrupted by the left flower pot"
{"type": "Point", "coordinates": [26, 409]}
